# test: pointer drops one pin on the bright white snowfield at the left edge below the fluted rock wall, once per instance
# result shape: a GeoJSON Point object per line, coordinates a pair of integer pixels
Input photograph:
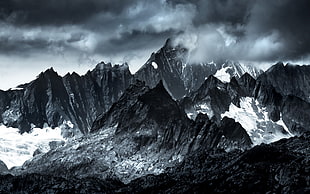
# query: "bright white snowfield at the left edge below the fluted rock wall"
{"type": "Point", "coordinates": [16, 148]}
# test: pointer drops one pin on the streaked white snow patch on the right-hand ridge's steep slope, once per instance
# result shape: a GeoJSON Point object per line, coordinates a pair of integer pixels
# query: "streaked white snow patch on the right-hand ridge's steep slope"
{"type": "Point", "coordinates": [254, 119]}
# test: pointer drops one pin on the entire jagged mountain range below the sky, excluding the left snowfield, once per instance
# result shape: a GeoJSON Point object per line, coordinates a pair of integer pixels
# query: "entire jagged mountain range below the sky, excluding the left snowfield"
{"type": "Point", "coordinates": [170, 127]}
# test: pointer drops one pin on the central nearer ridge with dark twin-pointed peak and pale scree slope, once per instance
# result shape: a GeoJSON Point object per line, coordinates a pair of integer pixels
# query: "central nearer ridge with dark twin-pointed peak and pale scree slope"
{"type": "Point", "coordinates": [143, 133]}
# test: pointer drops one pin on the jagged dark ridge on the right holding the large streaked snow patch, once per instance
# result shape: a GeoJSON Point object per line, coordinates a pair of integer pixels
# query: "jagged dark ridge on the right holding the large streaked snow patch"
{"type": "Point", "coordinates": [258, 108]}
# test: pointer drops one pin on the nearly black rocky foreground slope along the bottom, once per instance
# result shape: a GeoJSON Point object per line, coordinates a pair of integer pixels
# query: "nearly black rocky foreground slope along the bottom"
{"type": "Point", "coordinates": [281, 167]}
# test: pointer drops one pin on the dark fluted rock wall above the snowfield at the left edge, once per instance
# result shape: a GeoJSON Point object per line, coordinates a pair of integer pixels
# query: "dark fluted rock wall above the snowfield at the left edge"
{"type": "Point", "coordinates": [53, 99]}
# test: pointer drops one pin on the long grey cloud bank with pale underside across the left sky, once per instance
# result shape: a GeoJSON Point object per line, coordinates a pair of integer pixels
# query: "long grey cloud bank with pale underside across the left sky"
{"type": "Point", "coordinates": [93, 22]}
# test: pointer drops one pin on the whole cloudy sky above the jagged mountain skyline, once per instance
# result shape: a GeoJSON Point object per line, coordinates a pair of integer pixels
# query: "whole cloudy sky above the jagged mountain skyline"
{"type": "Point", "coordinates": [74, 35]}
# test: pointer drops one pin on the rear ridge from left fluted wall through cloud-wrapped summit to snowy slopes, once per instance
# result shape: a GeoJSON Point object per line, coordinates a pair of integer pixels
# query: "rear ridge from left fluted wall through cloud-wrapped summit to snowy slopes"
{"type": "Point", "coordinates": [75, 101]}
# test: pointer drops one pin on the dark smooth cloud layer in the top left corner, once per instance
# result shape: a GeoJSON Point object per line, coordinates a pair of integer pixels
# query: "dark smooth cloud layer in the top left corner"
{"type": "Point", "coordinates": [55, 12]}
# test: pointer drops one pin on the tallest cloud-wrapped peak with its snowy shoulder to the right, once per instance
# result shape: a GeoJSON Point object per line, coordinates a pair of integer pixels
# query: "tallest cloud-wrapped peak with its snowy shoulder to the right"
{"type": "Point", "coordinates": [181, 77]}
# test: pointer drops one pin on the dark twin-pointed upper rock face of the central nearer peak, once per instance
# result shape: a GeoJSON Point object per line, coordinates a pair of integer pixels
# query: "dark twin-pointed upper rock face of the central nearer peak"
{"type": "Point", "coordinates": [153, 114]}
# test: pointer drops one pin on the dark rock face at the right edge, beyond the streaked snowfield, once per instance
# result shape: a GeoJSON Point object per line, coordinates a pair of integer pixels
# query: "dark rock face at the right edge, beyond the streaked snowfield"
{"type": "Point", "coordinates": [287, 98]}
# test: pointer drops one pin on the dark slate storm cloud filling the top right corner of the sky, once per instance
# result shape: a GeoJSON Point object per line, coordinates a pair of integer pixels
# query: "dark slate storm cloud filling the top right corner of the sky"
{"type": "Point", "coordinates": [289, 19]}
